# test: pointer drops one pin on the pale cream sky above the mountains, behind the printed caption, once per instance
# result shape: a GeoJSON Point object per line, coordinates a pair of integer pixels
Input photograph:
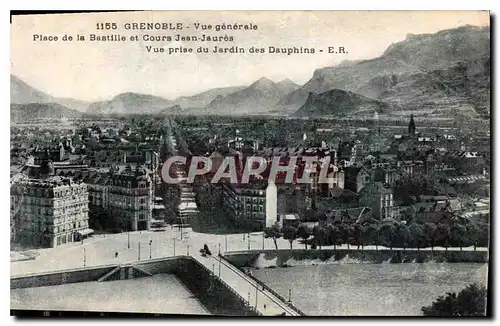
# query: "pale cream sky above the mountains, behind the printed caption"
{"type": "Point", "coordinates": [92, 71]}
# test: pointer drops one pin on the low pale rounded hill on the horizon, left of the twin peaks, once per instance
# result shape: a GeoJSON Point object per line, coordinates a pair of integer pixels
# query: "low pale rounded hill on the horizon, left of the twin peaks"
{"type": "Point", "coordinates": [130, 103]}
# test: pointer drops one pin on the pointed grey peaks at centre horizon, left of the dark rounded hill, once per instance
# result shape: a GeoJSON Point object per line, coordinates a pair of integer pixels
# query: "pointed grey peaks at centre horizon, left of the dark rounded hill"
{"type": "Point", "coordinates": [260, 97]}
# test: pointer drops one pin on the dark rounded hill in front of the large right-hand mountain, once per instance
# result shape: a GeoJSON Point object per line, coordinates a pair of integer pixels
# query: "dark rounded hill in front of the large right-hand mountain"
{"type": "Point", "coordinates": [337, 102]}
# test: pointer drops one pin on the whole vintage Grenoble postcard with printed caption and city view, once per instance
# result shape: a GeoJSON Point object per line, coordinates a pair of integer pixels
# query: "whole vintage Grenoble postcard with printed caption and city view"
{"type": "Point", "coordinates": [250, 163]}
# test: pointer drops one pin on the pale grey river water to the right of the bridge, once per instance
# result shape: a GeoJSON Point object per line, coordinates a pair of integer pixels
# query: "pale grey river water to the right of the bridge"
{"type": "Point", "coordinates": [370, 289]}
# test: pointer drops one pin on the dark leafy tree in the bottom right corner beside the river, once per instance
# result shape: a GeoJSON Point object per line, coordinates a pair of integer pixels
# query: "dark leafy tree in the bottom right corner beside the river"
{"type": "Point", "coordinates": [471, 301]}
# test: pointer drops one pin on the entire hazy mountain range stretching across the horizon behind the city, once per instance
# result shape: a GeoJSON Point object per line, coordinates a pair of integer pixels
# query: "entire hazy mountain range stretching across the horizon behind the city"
{"type": "Point", "coordinates": [428, 73]}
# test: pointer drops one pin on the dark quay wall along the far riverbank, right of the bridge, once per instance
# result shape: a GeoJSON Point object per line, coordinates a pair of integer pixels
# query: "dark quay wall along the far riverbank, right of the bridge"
{"type": "Point", "coordinates": [292, 257]}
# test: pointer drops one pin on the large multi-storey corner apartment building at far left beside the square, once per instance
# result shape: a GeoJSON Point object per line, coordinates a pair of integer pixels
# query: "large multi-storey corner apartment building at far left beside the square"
{"type": "Point", "coordinates": [49, 212]}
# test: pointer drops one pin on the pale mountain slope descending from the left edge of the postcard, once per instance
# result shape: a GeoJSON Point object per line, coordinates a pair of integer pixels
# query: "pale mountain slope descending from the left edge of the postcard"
{"type": "Point", "coordinates": [22, 93]}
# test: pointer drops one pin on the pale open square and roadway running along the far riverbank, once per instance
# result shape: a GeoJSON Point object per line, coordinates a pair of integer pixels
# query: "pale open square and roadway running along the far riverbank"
{"type": "Point", "coordinates": [101, 249]}
